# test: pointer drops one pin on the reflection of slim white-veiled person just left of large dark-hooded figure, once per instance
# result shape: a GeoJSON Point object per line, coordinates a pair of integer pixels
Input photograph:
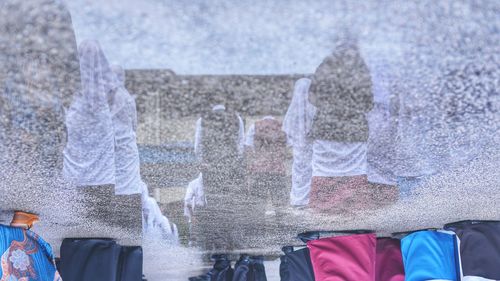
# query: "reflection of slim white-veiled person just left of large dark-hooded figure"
{"type": "Point", "coordinates": [296, 125]}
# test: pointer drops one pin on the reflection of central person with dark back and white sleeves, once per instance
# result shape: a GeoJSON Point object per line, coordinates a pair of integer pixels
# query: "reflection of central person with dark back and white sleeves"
{"type": "Point", "coordinates": [218, 145]}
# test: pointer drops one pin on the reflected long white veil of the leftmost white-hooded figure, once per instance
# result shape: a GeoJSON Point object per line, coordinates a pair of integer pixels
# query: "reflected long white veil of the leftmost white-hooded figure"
{"type": "Point", "coordinates": [89, 156]}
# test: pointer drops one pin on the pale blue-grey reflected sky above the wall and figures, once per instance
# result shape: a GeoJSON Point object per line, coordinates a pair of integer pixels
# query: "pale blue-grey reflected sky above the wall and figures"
{"type": "Point", "coordinates": [250, 37]}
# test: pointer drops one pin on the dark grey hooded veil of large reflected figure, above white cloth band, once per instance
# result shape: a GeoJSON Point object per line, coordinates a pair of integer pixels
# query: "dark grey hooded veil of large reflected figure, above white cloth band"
{"type": "Point", "coordinates": [342, 91]}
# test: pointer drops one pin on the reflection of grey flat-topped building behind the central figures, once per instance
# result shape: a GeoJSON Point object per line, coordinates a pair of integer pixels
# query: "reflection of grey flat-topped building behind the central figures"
{"type": "Point", "coordinates": [169, 104]}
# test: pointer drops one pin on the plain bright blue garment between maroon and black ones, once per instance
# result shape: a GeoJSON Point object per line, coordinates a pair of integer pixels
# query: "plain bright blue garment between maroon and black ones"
{"type": "Point", "coordinates": [430, 255]}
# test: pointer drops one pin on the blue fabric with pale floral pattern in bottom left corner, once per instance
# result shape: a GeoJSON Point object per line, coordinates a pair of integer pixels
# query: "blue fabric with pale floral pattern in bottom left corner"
{"type": "Point", "coordinates": [25, 256]}
